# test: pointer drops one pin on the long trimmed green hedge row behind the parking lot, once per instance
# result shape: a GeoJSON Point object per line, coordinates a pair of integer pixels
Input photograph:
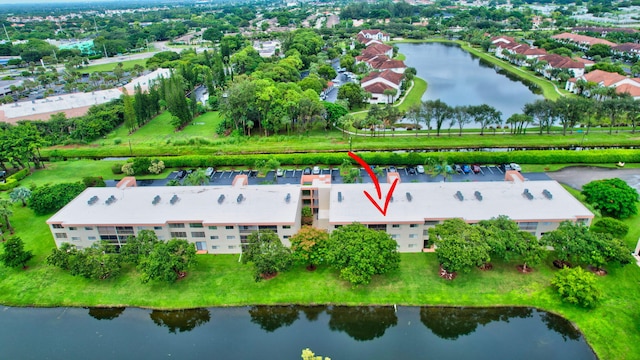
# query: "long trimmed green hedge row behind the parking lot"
{"type": "Point", "coordinates": [413, 158]}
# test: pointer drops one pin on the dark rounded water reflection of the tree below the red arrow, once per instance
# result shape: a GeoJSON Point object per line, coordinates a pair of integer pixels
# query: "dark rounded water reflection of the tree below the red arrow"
{"type": "Point", "coordinates": [362, 323]}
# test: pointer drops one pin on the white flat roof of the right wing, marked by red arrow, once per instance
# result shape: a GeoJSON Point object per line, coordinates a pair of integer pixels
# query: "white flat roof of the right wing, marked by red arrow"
{"type": "Point", "coordinates": [438, 201]}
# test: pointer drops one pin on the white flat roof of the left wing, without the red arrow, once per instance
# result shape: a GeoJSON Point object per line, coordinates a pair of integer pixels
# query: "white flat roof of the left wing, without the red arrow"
{"type": "Point", "coordinates": [261, 205]}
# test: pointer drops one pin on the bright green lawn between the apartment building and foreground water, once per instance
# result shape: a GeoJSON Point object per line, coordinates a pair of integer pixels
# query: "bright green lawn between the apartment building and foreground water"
{"type": "Point", "coordinates": [221, 280]}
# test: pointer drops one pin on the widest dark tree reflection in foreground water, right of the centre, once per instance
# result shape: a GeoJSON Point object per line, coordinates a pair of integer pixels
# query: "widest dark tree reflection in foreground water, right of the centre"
{"type": "Point", "coordinates": [451, 322]}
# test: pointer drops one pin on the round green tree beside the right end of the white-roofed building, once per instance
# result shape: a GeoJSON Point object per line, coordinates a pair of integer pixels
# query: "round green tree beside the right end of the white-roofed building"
{"type": "Point", "coordinates": [613, 197]}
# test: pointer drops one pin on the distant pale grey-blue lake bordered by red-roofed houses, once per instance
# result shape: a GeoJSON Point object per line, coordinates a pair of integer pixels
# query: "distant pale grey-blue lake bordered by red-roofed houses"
{"type": "Point", "coordinates": [458, 78]}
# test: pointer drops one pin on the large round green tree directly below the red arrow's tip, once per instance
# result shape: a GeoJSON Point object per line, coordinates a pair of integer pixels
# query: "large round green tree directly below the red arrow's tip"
{"type": "Point", "coordinates": [360, 253]}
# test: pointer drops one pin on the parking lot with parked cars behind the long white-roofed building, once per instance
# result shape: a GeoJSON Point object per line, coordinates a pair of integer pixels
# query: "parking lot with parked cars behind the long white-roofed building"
{"type": "Point", "coordinates": [293, 176]}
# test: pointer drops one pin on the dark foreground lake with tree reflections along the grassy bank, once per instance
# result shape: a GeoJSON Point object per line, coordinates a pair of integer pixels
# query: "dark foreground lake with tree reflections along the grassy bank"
{"type": "Point", "coordinates": [281, 332]}
